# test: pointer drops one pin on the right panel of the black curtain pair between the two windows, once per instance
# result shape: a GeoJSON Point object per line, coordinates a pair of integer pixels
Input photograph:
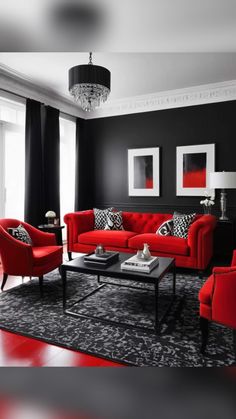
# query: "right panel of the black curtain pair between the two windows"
{"type": "Point", "coordinates": [51, 160]}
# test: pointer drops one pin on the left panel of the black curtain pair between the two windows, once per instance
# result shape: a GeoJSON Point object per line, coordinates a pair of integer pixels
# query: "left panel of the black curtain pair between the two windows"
{"type": "Point", "coordinates": [34, 191]}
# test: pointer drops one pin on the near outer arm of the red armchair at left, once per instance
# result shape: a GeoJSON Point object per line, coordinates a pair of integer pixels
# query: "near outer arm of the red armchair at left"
{"type": "Point", "coordinates": [16, 256]}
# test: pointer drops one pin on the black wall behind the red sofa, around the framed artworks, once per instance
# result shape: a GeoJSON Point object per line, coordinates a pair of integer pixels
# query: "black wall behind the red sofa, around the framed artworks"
{"type": "Point", "coordinates": [107, 140]}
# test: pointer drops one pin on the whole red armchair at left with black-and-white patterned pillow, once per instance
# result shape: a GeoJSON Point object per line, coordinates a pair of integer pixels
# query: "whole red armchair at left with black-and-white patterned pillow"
{"type": "Point", "coordinates": [21, 259]}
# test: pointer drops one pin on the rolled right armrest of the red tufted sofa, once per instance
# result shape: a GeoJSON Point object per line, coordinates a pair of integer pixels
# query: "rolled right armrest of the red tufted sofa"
{"type": "Point", "coordinates": [200, 239]}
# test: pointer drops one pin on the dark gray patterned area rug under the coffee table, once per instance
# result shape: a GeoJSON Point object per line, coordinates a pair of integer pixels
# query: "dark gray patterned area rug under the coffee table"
{"type": "Point", "coordinates": [23, 311]}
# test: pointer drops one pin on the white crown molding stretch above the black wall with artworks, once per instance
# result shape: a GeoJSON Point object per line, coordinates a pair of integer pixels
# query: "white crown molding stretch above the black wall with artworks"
{"type": "Point", "coordinates": [192, 96]}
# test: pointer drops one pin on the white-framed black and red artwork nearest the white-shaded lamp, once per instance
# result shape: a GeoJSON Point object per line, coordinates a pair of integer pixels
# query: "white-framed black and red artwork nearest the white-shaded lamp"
{"type": "Point", "coordinates": [193, 165]}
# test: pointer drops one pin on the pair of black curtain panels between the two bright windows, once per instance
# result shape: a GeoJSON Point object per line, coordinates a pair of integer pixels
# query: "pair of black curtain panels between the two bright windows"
{"type": "Point", "coordinates": [42, 148]}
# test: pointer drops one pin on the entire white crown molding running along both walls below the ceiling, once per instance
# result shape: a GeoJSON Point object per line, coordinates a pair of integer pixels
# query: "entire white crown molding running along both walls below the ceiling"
{"type": "Point", "coordinates": [17, 83]}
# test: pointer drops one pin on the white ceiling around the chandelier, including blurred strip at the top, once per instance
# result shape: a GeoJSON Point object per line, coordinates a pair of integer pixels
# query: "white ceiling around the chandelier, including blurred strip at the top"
{"type": "Point", "coordinates": [157, 45]}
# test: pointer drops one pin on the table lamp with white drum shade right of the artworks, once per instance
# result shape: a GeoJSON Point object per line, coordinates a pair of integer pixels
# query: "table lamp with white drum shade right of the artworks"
{"type": "Point", "coordinates": [222, 180]}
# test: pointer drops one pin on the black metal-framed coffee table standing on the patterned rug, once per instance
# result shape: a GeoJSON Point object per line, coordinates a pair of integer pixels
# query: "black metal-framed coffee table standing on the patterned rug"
{"type": "Point", "coordinates": [114, 271]}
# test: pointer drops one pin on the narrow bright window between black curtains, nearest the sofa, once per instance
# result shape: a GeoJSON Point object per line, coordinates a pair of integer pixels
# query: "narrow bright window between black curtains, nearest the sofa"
{"type": "Point", "coordinates": [67, 167]}
